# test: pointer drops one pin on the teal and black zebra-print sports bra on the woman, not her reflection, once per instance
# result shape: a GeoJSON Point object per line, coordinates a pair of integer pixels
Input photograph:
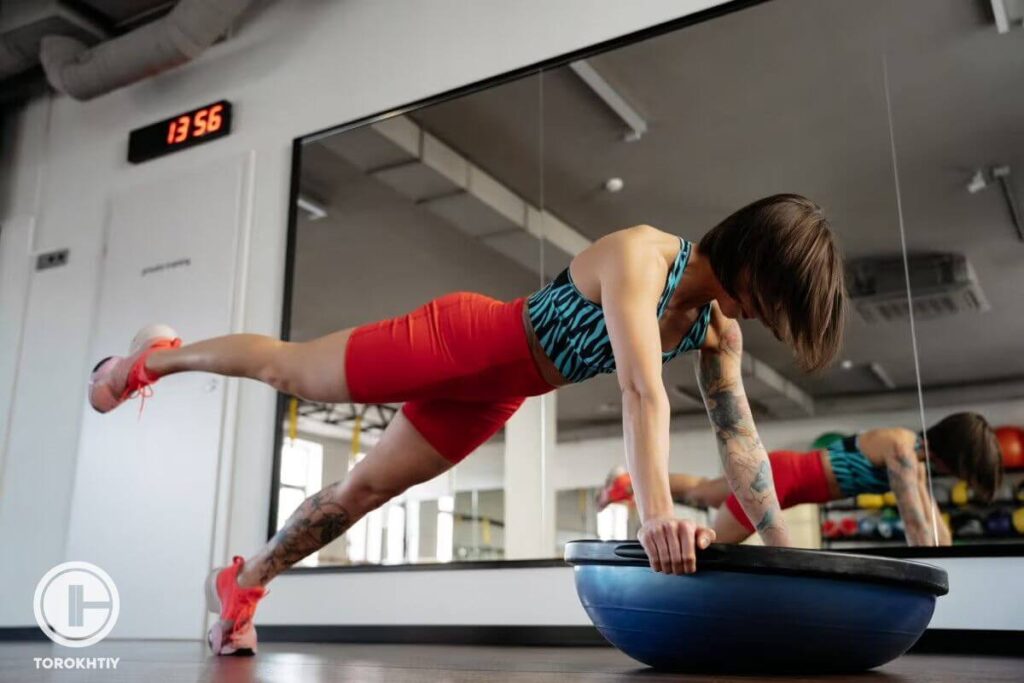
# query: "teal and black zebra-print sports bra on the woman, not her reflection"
{"type": "Point", "coordinates": [571, 328]}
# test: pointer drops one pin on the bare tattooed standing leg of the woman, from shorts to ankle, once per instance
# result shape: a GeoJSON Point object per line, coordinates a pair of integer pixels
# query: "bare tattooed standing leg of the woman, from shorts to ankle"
{"type": "Point", "coordinates": [402, 459]}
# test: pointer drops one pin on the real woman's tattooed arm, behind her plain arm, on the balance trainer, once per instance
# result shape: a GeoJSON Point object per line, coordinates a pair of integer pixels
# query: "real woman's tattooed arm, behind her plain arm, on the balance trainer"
{"type": "Point", "coordinates": [744, 457]}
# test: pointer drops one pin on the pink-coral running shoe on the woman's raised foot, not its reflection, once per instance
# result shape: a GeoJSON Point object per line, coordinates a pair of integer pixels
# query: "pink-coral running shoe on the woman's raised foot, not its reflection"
{"type": "Point", "coordinates": [116, 379]}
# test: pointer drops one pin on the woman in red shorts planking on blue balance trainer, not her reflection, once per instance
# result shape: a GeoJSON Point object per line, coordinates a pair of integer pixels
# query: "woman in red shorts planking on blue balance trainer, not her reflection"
{"type": "Point", "coordinates": [464, 363]}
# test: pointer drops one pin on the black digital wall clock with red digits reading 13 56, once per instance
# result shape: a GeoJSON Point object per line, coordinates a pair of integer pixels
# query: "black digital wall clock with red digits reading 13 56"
{"type": "Point", "coordinates": [180, 133]}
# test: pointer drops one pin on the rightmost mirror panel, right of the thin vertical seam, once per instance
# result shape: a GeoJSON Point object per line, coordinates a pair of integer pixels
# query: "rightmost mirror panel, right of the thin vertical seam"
{"type": "Point", "coordinates": [959, 130]}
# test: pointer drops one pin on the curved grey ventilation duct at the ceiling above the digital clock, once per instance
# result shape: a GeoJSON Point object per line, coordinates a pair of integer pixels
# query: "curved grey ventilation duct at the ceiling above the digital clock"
{"type": "Point", "coordinates": [184, 34]}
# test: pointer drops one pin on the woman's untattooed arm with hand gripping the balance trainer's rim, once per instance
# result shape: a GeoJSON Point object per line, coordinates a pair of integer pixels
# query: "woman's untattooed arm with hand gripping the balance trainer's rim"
{"type": "Point", "coordinates": [630, 289]}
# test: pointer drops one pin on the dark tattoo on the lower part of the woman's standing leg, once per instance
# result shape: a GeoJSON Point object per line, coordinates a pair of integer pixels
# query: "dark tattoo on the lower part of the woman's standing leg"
{"type": "Point", "coordinates": [316, 524]}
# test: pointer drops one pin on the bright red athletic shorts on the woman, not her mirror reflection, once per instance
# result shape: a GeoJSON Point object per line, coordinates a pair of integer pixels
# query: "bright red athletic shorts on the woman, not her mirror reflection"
{"type": "Point", "coordinates": [461, 364]}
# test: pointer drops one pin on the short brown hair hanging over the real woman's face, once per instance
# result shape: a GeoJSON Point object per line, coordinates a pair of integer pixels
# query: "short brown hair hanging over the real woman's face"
{"type": "Point", "coordinates": [783, 250]}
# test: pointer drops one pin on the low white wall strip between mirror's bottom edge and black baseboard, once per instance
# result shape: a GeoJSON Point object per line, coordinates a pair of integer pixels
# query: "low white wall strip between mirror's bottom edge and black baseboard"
{"type": "Point", "coordinates": [547, 597]}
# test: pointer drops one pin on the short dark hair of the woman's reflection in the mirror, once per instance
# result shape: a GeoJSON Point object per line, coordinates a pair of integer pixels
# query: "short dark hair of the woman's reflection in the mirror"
{"type": "Point", "coordinates": [966, 444]}
